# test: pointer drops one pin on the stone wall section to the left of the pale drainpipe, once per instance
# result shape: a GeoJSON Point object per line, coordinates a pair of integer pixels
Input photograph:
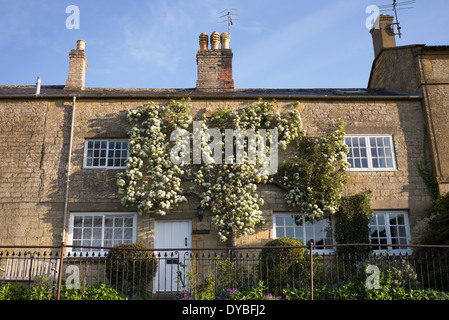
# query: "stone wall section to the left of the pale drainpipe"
{"type": "Point", "coordinates": [34, 144]}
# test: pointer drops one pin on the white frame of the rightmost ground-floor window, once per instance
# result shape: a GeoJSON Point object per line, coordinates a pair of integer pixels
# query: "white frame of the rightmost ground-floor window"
{"type": "Point", "coordinates": [389, 246]}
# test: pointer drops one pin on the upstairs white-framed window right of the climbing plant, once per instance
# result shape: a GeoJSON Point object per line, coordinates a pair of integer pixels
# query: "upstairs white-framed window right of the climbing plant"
{"type": "Point", "coordinates": [375, 153]}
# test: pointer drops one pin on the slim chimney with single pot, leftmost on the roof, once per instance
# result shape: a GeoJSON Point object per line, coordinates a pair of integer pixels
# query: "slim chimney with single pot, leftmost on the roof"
{"type": "Point", "coordinates": [77, 68]}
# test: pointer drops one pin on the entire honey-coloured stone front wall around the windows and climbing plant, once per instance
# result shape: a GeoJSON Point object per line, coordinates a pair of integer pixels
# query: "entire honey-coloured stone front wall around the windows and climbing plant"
{"type": "Point", "coordinates": [35, 141]}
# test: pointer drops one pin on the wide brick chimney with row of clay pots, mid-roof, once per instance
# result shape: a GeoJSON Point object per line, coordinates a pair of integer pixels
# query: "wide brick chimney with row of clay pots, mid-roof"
{"type": "Point", "coordinates": [214, 65]}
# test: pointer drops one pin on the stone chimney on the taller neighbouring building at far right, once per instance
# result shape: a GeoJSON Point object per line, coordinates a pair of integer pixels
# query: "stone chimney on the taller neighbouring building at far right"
{"type": "Point", "coordinates": [383, 33]}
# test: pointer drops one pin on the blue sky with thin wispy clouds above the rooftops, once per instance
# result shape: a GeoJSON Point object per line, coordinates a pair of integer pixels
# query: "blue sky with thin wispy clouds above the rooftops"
{"type": "Point", "coordinates": [153, 43]}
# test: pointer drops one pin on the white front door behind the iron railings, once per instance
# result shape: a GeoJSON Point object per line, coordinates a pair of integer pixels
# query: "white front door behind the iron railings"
{"type": "Point", "coordinates": [173, 264]}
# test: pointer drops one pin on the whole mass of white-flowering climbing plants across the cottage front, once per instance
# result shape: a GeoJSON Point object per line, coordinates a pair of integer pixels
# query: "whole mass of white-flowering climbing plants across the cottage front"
{"type": "Point", "coordinates": [313, 175]}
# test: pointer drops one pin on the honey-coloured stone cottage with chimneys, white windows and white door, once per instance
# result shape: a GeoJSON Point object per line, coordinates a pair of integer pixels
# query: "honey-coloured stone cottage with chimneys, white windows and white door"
{"type": "Point", "coordinates": [64, 145]}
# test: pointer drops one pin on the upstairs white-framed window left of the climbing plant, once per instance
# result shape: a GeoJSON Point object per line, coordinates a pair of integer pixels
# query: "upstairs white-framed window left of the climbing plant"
{"type": "Point", "coordinates": [105, 154]}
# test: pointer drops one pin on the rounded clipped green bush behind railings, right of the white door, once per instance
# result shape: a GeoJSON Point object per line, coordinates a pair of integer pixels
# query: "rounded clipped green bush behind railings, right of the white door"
{"type": "Point", "coordinates": [279, 266]}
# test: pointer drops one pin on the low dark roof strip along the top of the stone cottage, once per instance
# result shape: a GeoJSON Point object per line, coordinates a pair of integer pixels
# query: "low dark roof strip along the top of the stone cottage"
{"type": "Point", "coordinates": [56, 92]}
